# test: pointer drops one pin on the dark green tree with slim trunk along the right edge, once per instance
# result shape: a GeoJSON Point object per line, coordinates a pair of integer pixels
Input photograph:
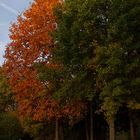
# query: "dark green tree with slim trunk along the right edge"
{"type": "Point", "coordinates": [129, 39]}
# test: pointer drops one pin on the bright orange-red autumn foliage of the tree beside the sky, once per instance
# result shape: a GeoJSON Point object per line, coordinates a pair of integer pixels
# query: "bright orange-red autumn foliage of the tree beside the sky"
{"type": "Point", "coordinates": [32, 45]}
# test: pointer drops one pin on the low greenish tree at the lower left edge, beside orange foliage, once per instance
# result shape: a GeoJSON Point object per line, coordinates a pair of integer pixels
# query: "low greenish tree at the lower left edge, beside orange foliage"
{"type": "Point", "coordinates": [10, 128]}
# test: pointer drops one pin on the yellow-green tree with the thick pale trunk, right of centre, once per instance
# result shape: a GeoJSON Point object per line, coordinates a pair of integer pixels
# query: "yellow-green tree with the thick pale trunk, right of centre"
{"type": "Point", "coordinates": [110, 72]}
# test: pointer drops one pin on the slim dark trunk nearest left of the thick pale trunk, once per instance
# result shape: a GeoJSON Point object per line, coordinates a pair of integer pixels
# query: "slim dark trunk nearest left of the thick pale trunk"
{"type": "Point", "coordinates": [91, 123]}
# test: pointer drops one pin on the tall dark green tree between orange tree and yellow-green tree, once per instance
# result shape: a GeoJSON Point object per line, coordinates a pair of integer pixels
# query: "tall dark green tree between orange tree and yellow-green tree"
{"type": "Point", "coordinates": [75, 35]}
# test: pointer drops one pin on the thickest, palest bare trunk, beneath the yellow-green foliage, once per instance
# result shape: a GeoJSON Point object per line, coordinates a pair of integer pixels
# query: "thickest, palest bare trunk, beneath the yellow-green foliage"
{"type": "Point", "coordinates": [111, 130]}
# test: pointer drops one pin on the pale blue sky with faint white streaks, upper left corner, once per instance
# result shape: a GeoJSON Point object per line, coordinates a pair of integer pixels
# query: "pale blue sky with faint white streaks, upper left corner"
{"type": "Point", "coordinates": [9, 10]}
